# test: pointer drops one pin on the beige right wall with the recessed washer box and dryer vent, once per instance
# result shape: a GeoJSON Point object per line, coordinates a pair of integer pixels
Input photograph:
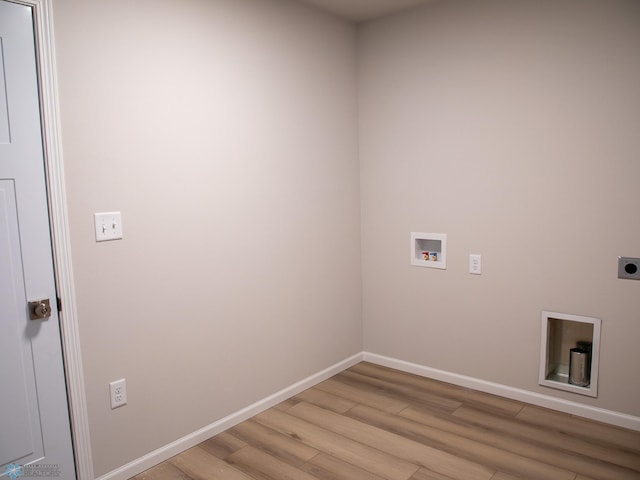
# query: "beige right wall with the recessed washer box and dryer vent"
{"type": "Point", "coordinates": [514, 127]}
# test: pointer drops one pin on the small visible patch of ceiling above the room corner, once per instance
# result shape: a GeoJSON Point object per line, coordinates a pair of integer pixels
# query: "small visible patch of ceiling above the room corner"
{"type": "Point", "coordinates": [362, 10]}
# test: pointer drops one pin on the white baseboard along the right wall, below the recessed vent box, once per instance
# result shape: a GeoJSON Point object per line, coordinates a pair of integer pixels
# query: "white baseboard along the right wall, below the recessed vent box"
{"type": "Point", "coordinates": [566, 406]}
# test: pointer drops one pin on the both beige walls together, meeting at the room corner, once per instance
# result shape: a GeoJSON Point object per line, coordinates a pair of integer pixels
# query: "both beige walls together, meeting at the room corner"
{"type": "Point", "coordinates": [226, 131]}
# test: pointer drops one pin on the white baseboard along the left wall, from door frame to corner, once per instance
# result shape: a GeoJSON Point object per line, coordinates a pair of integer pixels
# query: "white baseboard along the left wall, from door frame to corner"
{"type": "Point", "coordinates": [164, 453]}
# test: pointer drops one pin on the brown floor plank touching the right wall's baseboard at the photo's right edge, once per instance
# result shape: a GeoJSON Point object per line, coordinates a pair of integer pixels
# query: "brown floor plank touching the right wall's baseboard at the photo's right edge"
{"type": "Point", "coordinates": [582, 428]}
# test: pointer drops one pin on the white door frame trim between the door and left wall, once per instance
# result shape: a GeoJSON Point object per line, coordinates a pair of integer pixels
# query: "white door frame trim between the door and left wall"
{"type": "Point", "coordinates": [60, 239]}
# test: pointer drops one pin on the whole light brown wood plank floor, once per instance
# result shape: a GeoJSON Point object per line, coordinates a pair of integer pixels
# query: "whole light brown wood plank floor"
{"type": "Point", "coordinates": [372, 423]}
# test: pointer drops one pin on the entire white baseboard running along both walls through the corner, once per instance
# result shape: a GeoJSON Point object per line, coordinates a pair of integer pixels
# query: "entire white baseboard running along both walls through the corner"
{"type": "Point", "coordinates": [164, 453]}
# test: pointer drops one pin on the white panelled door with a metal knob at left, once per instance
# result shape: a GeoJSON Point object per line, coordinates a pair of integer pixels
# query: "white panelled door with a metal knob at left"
{"type": "Point", "coordinates": [35, 437]}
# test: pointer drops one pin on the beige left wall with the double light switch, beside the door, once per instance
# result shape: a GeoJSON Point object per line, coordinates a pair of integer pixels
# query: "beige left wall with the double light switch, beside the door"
{"type": "Point", "coordinates": [225, 132]}
